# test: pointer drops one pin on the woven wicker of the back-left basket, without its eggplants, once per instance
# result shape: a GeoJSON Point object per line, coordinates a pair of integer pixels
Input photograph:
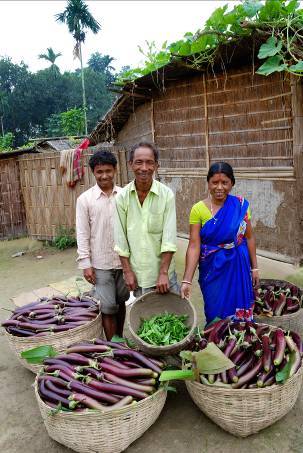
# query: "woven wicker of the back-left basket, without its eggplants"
{"type": "Point", "coordinates": [60, 340]}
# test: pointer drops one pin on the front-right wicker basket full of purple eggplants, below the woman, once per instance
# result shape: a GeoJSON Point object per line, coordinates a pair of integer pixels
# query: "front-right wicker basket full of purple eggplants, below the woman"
{"type": "Point", "coordinates": [263, 382]}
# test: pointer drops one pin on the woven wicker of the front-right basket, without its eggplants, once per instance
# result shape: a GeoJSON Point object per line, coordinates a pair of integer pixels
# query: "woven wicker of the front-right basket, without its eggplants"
{"type": "Point", "coordinates": [243, 412]}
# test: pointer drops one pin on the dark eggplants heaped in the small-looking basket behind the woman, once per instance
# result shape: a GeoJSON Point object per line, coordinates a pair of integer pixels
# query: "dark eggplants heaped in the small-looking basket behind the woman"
{"type": "Point", "coordinates": [277, 300]}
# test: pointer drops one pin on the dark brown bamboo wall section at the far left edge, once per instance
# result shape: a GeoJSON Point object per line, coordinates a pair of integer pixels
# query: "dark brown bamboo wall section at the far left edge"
{"type": "Point", "coordinates": [12, 212]}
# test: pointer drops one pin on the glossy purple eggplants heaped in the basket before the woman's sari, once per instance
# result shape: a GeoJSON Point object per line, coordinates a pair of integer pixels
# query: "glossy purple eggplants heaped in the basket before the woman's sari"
{"type": "Point", "coordinates": [263, 355]}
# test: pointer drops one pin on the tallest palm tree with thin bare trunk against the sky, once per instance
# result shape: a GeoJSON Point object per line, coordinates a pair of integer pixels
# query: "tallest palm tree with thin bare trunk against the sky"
{"type": "Point", "coordinates": [78, 19]}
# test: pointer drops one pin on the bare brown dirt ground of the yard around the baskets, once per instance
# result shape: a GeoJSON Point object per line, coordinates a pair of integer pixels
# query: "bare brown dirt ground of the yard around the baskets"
{"type": "Point", "coordinates": [180, 428]}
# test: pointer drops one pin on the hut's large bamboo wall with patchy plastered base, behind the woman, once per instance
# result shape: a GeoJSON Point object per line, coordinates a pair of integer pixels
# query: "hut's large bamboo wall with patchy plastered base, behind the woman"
{"type": "Point", "coordinates": [246, 120]}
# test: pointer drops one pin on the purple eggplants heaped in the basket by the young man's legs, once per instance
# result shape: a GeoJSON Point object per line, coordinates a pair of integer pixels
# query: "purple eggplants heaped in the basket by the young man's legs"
{"type": "Point", "coordinates": [57, 314]}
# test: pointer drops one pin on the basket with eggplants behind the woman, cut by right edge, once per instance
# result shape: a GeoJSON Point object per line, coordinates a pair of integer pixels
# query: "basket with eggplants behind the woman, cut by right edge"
{"type": "Point", "coordinates": [279, 303]}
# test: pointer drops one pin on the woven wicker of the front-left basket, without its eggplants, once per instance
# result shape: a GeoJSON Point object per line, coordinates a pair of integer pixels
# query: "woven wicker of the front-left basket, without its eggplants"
{"type": "Point", "coordinates": [97, 432]}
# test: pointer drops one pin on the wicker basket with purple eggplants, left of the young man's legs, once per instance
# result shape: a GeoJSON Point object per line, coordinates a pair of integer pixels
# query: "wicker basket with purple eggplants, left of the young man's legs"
{"type": "Point", "coordinates": [55, 321]}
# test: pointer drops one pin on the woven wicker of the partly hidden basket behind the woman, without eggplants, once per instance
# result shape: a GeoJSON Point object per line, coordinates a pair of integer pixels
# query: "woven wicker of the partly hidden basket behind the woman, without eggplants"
{"type": "Point", "coordinates": [293, 321]}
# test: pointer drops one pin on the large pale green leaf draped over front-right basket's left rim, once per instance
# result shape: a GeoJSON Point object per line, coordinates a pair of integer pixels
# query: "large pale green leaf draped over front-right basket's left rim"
{"type": "Point", "coordinates": [212, 360]}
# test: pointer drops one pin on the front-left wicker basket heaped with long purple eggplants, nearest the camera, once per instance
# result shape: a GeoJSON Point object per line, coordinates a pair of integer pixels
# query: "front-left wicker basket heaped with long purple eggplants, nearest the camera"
{"type": "Point", "coordinates": [99, 396]}
